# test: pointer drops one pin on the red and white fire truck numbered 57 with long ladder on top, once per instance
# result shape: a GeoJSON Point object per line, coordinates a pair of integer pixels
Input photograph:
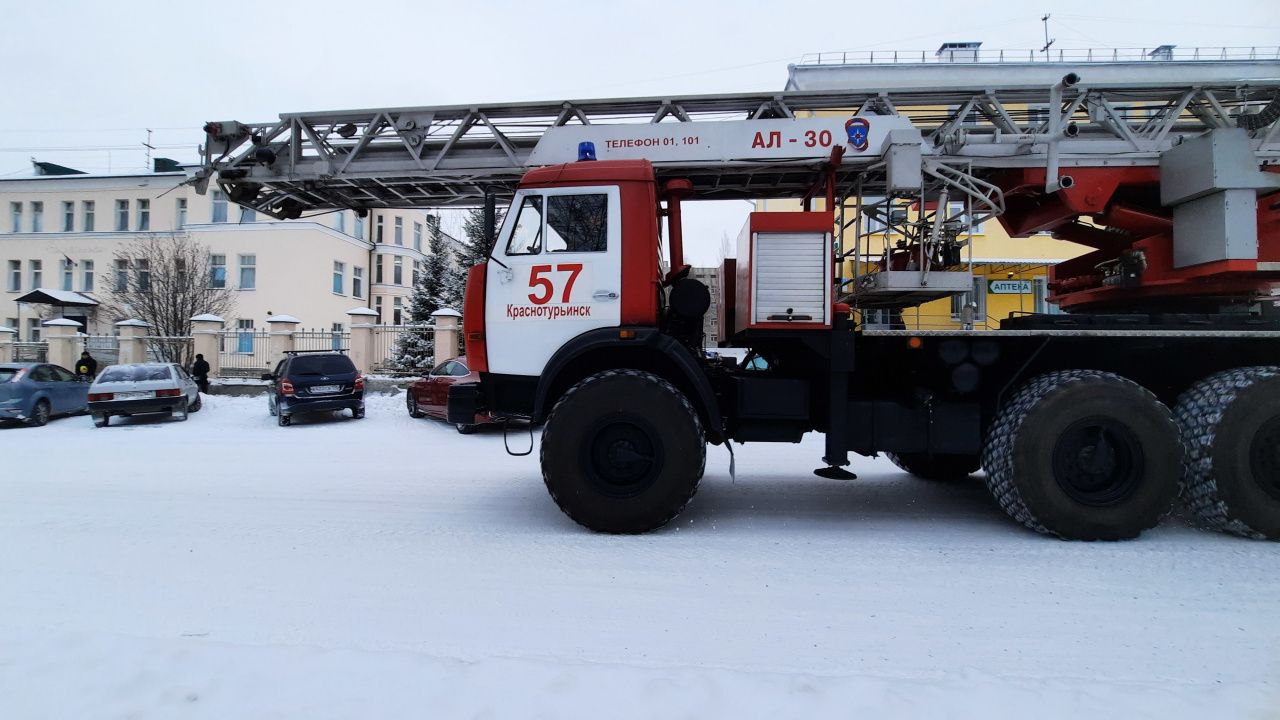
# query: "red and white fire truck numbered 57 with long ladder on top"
{"type": "Point", "coordinates": [1162, 380]}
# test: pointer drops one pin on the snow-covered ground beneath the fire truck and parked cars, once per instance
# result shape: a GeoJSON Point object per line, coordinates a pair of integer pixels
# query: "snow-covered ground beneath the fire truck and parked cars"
{"type": "Point", "coordinates": [391, 568]}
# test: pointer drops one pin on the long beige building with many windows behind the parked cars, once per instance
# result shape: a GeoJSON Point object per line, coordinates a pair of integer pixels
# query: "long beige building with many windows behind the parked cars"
{"type": "Point", "coordinates": [66, 233]}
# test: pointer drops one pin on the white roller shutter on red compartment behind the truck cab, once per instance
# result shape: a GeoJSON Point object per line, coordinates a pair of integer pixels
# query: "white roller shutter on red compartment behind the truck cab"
{"type": "Point", "coordinates": [790, 272]}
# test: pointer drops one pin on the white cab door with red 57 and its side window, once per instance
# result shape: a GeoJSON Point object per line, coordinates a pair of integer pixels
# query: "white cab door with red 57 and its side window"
{"type": "Point", "coordinates": [559, 275]}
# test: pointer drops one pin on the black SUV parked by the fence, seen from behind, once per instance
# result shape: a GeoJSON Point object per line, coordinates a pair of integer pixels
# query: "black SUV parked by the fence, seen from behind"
{"type": "Point", "coordinates": [316, 382]}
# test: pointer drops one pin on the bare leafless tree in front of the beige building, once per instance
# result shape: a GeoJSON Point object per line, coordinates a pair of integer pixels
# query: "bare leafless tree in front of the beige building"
{"type": "Point", "coordinates": [167, 280]}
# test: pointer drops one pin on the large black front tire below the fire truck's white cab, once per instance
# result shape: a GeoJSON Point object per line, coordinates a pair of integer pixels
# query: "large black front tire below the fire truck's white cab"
{"type": "Point", "coordinates": [623, 453]}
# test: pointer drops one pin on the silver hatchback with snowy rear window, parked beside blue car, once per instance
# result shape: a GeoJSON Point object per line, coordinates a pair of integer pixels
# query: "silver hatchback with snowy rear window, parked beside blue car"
{"type": "Point", "coordinates": [145, 388]}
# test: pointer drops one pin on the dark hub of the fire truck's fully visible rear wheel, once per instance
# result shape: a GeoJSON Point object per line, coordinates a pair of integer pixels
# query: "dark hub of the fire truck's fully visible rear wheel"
{"type": "Point", "coordinates": [1099, 462]}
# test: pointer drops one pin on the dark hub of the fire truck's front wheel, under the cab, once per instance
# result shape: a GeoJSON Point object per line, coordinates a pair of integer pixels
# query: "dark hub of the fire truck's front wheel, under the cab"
{"type": "Point", "coordinates": [621, 457]}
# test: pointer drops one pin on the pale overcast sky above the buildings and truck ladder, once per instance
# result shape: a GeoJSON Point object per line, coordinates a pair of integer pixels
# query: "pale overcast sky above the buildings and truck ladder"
{"type": "Point", "coordinates": [84, 80]}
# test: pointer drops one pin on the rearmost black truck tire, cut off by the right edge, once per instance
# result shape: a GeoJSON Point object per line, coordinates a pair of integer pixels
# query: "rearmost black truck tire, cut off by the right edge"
{"type": "Point", "coordinates": [1231, 425]}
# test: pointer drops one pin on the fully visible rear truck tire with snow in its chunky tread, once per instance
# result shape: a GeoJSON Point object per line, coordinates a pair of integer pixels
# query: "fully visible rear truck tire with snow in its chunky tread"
{"type": "Point", "coordinates": [1085, 455]}
